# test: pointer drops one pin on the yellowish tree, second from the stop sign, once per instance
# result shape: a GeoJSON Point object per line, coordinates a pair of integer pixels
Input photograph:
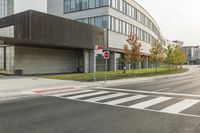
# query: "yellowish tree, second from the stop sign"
{"type": "Point", "coordinates": [156, 53]}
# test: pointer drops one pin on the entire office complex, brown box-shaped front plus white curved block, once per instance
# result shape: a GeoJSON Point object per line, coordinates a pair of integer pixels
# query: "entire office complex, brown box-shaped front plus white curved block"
{"type": "Point", "coordinates": [63, 40]}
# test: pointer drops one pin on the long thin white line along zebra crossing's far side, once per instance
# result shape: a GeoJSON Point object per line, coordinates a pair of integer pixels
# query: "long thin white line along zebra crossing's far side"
{"type": "Point", "coordinates": [149, 92]}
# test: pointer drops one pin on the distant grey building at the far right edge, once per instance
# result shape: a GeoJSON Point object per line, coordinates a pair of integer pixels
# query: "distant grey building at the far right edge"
{"type": "Point", "coordinates": [192, 54]}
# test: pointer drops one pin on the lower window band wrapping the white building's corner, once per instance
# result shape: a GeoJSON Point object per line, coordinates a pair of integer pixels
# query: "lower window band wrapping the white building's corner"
{"type": "Point", "coordinates": [117, 25]}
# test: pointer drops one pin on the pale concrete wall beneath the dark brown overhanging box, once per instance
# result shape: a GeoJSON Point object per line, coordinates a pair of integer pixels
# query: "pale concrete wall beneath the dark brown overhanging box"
{"type": "Point", "coordinates": [42, 60]}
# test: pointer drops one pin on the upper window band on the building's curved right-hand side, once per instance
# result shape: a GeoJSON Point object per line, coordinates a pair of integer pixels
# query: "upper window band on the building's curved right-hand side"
{"type": "Point", "coordinates": [128, 9]}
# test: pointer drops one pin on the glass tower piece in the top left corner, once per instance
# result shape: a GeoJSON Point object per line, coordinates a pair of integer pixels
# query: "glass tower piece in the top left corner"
{"type": "Point", "coordinates": [6, 7]}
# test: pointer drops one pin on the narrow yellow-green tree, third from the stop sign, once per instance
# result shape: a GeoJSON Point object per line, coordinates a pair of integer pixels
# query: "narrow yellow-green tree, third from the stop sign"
{"type": "Point", "coordinates": [169, 55]}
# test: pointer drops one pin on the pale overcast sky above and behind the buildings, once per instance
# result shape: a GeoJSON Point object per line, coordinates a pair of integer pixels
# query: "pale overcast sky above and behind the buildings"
{"type": "Point", "coordinates": [178, 19]}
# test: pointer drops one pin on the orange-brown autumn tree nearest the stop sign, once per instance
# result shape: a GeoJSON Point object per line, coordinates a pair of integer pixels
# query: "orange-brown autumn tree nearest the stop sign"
{"type": "Point", "coordinates": [132, 54]}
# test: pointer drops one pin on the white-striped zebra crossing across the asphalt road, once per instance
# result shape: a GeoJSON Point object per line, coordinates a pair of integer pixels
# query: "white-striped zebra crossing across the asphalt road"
{"type": "Point", "coordinates": [136, 101]}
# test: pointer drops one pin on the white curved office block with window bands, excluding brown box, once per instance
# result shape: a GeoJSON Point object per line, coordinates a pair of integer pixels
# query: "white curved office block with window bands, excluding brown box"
{"type": "Point", "coordinates": [119, 17]}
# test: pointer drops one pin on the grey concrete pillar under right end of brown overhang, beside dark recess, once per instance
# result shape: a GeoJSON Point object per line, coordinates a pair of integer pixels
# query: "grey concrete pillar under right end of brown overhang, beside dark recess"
{"type": "Point", "coordinates": [86, 60]}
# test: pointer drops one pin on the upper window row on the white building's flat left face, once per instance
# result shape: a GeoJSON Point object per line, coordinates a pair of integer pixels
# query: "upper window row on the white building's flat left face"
{"type": "Point", "coordinates": [78, 5]}
